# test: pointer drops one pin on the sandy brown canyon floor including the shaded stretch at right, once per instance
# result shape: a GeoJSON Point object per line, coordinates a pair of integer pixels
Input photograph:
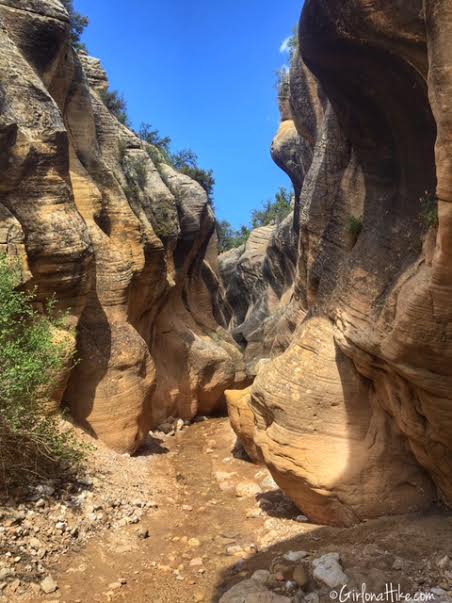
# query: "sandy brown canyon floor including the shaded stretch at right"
{"type": "Point", "coordinates": [216, 518]}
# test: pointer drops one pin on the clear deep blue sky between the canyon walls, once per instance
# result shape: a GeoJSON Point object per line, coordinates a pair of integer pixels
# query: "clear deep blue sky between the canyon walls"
{"type": "Point", "coordinates": [203, 73]}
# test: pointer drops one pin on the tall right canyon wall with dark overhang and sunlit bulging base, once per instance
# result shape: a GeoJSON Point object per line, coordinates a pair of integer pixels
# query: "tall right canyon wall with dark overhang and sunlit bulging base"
{"type": "Point", "coordinates": [354, 418]}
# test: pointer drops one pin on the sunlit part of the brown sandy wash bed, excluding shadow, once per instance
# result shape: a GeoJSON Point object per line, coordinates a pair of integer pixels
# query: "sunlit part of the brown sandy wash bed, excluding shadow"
{"type": "Point", "coordinates": [199, 532]}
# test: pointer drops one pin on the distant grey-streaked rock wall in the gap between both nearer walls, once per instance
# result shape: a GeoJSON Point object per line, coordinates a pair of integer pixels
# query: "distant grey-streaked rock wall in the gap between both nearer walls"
{"type": "Point", "coordinates": [258, 284]}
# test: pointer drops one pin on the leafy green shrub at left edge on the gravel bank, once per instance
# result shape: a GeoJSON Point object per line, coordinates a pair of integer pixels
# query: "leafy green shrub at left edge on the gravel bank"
{"type": "Point", "coordinates": [31, 363]}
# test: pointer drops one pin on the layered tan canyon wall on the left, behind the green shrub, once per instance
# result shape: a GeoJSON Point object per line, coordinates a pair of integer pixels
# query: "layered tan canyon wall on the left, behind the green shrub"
{"type": "Point", "coordinates": [126, 245]}
